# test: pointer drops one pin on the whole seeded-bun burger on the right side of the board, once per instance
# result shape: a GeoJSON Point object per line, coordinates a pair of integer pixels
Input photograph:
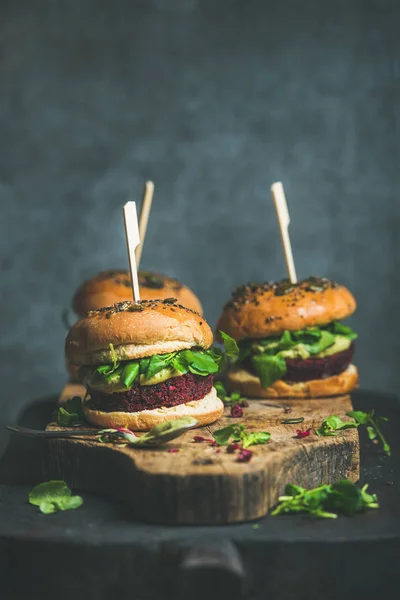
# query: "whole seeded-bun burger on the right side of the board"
{"type": "Point", "coordinates": [291, 343]}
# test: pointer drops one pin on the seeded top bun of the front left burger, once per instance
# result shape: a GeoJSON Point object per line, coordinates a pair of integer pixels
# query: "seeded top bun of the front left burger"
{"type": "Point", "coordinates": [136, 330]}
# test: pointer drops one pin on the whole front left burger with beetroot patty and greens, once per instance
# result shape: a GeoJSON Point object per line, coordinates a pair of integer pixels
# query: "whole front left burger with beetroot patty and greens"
{"type": "Point", "coordinates": [144, 363]}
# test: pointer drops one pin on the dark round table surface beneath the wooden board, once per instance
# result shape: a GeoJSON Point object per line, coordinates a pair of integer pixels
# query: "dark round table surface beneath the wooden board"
{"type": "Point", "coordinates": [98, 552]}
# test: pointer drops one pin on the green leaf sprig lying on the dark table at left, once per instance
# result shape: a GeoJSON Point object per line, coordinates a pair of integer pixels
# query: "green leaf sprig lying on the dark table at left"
{"type": "Point", "coordinates": [51, 496]}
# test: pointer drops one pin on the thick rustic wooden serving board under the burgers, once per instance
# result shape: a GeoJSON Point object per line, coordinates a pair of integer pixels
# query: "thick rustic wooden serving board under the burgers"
{"type": "Point", "coordinates": [201, 485]}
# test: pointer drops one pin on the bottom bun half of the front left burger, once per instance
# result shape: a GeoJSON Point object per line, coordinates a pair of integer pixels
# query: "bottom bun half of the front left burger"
{"type": "Point", "coordinates": [206, 411]}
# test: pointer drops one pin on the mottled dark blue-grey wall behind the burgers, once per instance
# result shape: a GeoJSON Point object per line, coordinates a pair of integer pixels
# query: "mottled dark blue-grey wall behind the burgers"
{"type": "Point", "coordinates": [213, 100]}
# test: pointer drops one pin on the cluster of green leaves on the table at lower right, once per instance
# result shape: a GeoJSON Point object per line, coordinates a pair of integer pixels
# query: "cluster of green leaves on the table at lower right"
{"type": "Point", "coordinates": [341, 497]}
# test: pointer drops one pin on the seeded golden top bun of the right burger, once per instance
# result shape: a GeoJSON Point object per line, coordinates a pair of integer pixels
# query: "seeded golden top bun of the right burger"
{"type": "Point", "coordinates": [268, 309]}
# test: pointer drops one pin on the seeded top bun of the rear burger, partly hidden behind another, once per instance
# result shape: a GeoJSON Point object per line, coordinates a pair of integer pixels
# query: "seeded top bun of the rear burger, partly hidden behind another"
{"type": "Point", "coordinates": [109, 287]}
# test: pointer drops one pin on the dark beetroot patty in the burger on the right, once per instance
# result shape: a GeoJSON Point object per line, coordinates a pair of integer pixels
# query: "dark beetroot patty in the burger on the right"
{"type": "Point", "coordinates": [318, 368]}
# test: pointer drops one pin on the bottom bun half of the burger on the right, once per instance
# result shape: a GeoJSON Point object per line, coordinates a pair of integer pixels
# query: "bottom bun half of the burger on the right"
{"type": "Point", "coordinates": [249, 385]}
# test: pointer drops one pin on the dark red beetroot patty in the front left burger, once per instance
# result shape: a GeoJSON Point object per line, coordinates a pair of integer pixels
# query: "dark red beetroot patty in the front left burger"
{"type": "Point", "coordinates": [174, 391]}
